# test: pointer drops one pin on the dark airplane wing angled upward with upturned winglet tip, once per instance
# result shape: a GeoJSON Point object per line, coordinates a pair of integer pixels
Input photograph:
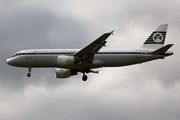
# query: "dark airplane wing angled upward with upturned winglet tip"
{"type": "Point", "coordinates": [89, 51]}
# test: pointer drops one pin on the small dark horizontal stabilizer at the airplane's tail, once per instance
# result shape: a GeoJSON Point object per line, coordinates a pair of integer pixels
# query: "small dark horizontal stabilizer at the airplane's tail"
{"type": "Point", "coordinates": [162, 50]}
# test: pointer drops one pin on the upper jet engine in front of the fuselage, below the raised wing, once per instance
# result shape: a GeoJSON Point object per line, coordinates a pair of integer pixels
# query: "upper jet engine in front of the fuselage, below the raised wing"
{"type": "Point", "coordinates": [64, 61]}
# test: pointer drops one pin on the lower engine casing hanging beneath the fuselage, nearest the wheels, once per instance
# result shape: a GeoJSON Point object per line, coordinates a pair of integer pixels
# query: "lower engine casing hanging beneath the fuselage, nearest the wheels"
{"type": "Point", "coordinates": [63, 73]}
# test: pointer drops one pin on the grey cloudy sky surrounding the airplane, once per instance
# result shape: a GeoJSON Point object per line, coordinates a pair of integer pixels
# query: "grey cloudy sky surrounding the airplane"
{"type": "Point", "coordinates": [150, 91]}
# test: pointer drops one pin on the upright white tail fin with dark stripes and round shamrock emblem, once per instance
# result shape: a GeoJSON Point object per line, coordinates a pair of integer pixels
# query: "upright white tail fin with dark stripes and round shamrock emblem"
{"type": "Point", "coordinates": [157, 38]}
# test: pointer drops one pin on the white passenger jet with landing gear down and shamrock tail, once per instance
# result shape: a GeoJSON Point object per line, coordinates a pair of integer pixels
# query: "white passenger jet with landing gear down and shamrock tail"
{"type": "Point", "coordinates": [68, 62]}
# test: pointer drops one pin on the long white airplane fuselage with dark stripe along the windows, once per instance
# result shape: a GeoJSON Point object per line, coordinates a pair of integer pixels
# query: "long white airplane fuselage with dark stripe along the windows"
{"type": "Point", "coordinates": [104, 58]}
